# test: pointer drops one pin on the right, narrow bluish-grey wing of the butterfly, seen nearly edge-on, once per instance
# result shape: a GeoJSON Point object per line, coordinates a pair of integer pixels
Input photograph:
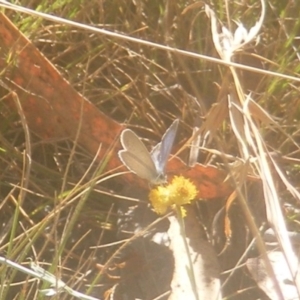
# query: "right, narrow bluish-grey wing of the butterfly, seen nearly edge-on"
{"type": "Point", "coordinates": [161, 151]}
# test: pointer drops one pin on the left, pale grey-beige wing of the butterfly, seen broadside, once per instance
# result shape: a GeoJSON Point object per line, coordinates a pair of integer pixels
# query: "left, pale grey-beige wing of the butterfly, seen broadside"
{"type": "Point", "coordinates": [136, 157]}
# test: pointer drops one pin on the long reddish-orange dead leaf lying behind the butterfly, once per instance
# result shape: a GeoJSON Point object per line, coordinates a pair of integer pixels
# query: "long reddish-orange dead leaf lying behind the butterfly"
{"type": "Point", "coordinates": [54, 110]}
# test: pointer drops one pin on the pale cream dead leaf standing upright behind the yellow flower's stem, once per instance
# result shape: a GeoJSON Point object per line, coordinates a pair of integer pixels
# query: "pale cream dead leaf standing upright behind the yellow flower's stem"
{"type": "Point", "coordinates": [203, 257]}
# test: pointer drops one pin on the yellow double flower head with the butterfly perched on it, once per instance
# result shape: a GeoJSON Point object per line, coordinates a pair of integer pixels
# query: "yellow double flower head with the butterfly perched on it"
{"type": "Point", "coordinates": [180, 191]}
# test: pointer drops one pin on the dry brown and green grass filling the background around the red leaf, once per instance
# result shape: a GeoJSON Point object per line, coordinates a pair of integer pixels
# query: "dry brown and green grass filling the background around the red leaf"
{"type": "Point", "coordinates": [59, 210]}
